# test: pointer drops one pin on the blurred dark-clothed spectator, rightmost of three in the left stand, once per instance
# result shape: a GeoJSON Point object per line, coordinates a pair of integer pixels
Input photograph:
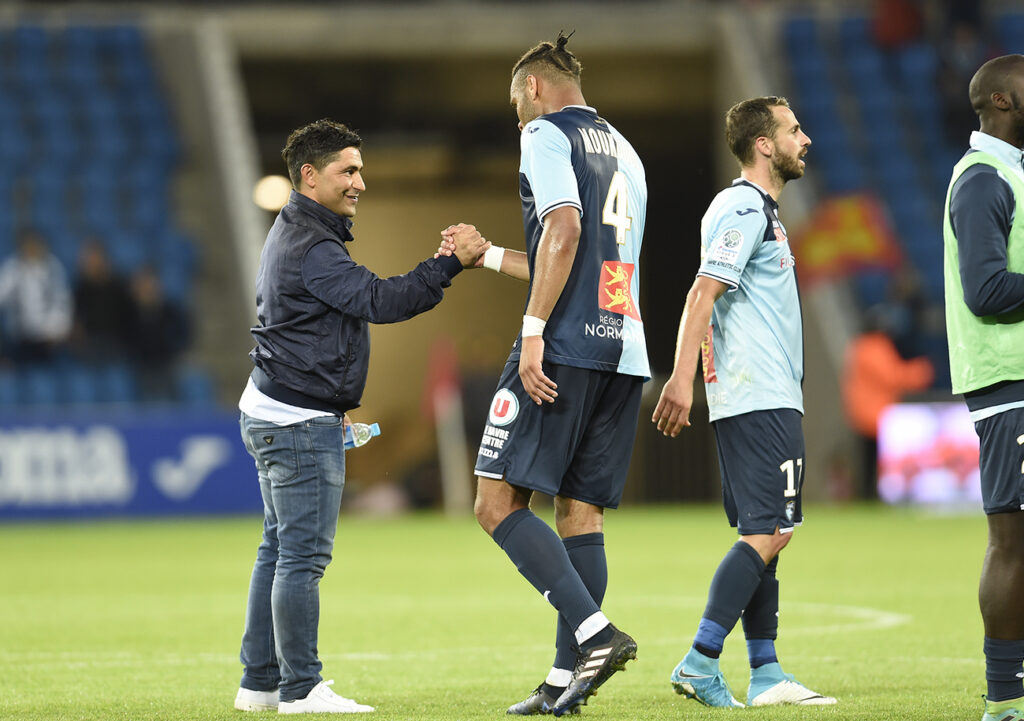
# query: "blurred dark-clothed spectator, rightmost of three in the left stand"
{"type": "Point", "coordinates": [158, 333]}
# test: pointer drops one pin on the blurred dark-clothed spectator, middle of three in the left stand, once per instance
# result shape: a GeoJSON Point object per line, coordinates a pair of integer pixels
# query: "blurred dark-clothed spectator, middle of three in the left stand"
{"type": "Point", "coordinates": [102, 307]}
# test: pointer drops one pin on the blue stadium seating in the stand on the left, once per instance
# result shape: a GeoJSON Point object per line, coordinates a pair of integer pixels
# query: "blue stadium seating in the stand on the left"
{"type": "Point", "coordinates": [87, 100]}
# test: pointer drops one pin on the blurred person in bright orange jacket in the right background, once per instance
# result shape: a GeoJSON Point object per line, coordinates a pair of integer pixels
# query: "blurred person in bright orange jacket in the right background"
{"type": "Point", "coordinates": [876, 376]}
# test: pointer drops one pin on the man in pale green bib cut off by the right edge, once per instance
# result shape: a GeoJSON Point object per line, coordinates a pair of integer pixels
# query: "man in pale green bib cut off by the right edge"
{"type": "Point", "coordinates": [985, 280]}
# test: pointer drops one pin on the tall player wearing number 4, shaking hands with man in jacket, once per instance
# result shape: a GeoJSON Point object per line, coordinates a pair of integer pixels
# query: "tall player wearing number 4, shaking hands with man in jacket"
{"type": "Point", "coordinates": [565, 416]}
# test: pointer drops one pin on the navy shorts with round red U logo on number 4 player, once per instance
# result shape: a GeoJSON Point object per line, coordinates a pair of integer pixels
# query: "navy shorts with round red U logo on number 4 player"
{"type": "Point", "coordinates": [578, 447]}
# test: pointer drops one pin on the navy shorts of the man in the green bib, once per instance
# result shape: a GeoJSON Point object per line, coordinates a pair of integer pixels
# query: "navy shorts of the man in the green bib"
{"type": "Point", "coordinates": [1003, 461]}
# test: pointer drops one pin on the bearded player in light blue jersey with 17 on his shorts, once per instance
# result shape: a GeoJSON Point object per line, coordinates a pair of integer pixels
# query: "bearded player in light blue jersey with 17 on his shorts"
{"type": "Point", "coordinates": [743, 319]}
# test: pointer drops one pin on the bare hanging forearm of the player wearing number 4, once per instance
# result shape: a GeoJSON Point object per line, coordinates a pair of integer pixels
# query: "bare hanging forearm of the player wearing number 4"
{"type": "Point", "coordinates": [553, 263]}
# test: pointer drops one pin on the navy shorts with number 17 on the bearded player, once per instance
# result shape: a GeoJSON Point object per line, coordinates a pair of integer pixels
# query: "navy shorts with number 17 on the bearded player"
{"type": "Point", "coordinates": [761, 455]}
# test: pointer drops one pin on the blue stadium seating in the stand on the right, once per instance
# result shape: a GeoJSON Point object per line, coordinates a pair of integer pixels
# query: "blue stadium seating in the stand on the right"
{"type": "Point", "coordinates": [886, 137]}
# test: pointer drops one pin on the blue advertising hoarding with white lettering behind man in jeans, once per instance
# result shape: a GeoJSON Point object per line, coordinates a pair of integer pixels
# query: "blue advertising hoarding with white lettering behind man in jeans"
{"type": "Point", "coordinates": [63, 465]}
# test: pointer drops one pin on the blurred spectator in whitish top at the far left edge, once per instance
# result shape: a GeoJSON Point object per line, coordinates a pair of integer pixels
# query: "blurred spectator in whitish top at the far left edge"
{"type": "Point", "coordinates": [36, 301]}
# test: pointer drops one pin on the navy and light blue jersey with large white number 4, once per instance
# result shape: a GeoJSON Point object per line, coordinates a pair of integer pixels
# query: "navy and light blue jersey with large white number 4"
{"type": "Point", "coordinates": [576, 158]}
